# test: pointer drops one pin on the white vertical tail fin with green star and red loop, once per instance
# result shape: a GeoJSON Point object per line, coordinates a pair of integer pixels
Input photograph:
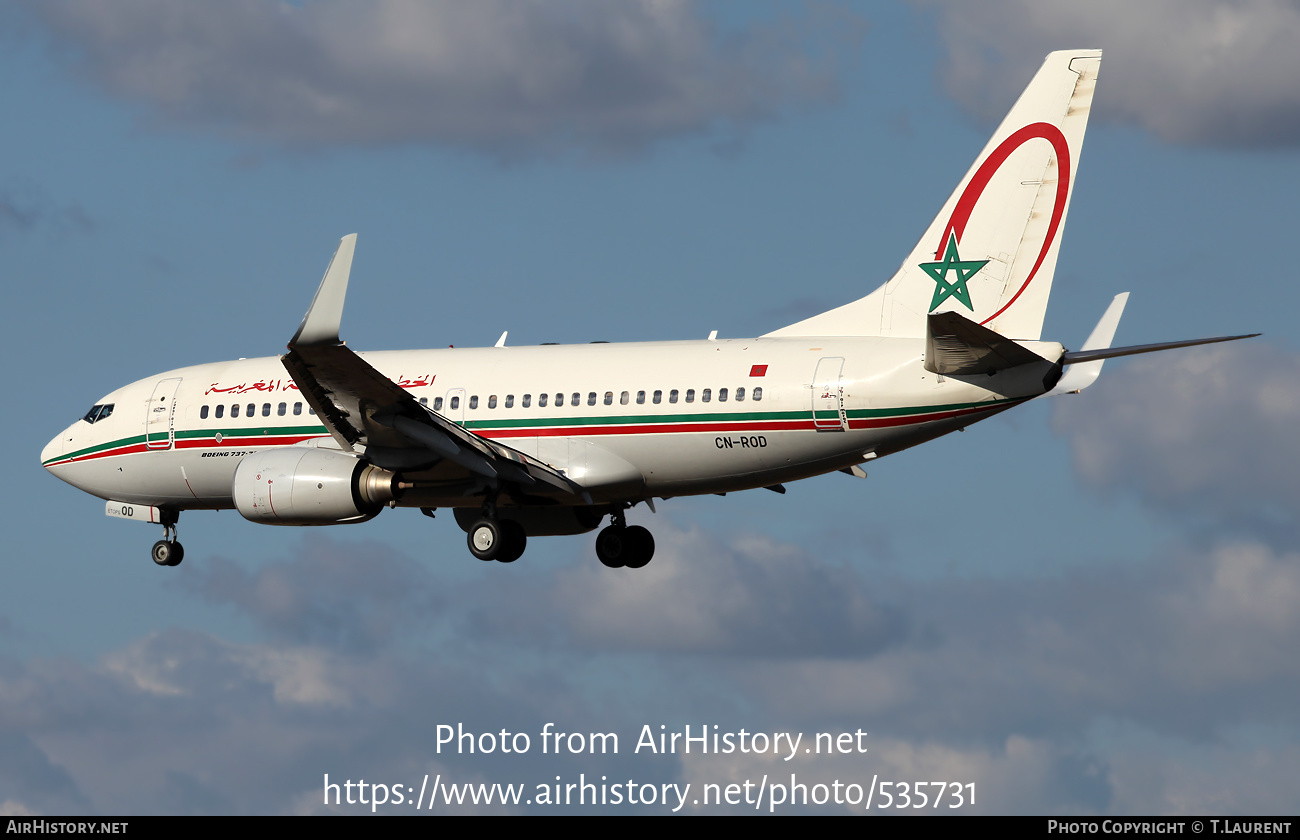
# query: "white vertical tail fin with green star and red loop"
{"type": "Point", "coordinates": [991, 253]}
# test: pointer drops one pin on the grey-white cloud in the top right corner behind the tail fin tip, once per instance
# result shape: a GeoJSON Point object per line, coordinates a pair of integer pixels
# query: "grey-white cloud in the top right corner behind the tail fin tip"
{"type": "Point", "coordinates": [1189, 71]}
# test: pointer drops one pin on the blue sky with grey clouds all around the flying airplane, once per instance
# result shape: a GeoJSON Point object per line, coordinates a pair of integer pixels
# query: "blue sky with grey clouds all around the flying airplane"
{"type": "Point", "coordinates": [1089, 607]}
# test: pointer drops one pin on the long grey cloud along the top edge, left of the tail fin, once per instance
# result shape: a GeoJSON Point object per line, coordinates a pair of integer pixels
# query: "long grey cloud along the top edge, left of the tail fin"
{"type": "Point", "coordinates": [501, 76]}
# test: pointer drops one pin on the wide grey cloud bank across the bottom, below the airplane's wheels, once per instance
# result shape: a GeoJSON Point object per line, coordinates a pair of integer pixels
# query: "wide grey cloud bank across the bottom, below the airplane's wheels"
{"type": "Point", "coordinates": [1103, 691]}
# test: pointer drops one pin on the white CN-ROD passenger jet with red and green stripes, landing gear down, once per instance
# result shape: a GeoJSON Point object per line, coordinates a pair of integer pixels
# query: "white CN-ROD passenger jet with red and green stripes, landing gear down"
{"type": "Point", "coordinates": [552, 440]}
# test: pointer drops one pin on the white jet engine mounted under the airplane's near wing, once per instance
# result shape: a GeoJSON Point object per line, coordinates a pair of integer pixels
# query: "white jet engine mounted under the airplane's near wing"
{"type": "Point", "coordinates": [297, 486]}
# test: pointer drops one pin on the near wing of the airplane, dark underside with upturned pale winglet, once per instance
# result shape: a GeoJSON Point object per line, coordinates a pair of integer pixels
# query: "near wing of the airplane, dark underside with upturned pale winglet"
{"type": "Point", "coordinates": [365, 409]}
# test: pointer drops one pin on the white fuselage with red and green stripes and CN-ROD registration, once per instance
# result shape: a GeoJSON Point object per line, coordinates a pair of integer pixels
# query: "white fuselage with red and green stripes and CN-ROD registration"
{"type": "Point", "coordinates": [626, 422]}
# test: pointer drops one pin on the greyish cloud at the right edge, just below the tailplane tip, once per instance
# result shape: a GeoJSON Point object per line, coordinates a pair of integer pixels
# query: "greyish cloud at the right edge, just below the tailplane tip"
{"type": "Point", "coordinates": [1207, 435]}
